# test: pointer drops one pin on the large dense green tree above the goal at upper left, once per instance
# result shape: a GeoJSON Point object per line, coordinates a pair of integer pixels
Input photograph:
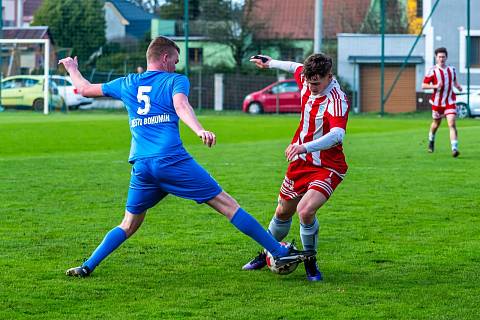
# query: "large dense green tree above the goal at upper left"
{"type": "Point", "coordinates": [79, 25]}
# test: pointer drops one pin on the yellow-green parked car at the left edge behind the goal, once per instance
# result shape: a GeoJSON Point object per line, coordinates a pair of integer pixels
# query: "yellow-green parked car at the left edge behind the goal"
{"type": "Point", "coordinates": [27, 91]}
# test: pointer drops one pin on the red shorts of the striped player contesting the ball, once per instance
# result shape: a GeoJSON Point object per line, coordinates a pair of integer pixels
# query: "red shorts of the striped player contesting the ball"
{"type": "Point", "coordinates": [302, 177]}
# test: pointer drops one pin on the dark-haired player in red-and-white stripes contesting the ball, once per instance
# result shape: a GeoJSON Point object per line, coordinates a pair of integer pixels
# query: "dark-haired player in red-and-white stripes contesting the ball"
{"type": "Point", "coordinates": [317, 163]}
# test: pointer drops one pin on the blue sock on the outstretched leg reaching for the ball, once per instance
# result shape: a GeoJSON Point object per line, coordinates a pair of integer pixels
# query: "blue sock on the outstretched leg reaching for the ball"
{"type": "Point", "coordinates": [247, 224]}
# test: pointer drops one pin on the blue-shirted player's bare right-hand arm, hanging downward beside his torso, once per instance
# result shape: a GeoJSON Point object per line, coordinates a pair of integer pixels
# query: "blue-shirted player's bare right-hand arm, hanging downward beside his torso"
{"type": "Point", "coordinates": [187, 115]}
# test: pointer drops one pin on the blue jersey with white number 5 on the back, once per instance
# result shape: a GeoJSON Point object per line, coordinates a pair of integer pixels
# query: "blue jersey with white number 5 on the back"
{"type": "Point", "coordinates": [153, 121]}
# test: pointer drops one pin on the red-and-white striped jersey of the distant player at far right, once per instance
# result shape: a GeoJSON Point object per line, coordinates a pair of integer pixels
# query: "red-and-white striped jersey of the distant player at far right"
{"type": "Point", "coordinates": [444, 96]}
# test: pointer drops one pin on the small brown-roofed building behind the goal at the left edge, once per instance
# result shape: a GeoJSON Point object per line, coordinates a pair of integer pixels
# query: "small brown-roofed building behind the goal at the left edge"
{"type": "Point", "coordinates": [25, 58]}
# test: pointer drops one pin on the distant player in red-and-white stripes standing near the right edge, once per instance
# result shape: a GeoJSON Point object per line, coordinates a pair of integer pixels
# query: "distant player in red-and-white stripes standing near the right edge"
{"type": "Point", "coordinates": [442, 78]}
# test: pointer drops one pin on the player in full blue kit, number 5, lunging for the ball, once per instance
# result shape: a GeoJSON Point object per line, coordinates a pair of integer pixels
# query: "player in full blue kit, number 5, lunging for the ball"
{"type": "Point", "coordinates": [155, 101]}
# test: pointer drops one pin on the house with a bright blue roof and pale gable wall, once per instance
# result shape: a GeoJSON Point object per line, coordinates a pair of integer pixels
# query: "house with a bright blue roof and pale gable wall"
{"type": "Point", "coordinates": [126, 20]}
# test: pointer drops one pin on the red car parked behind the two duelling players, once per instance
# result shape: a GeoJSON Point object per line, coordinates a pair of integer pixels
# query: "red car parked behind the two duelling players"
{"type": "Point", "coordinates": [281, 96]}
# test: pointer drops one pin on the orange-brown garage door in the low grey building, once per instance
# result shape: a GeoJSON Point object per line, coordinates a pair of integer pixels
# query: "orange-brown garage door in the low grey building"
{"type": "Point", "coordinates": [403, 97]}
